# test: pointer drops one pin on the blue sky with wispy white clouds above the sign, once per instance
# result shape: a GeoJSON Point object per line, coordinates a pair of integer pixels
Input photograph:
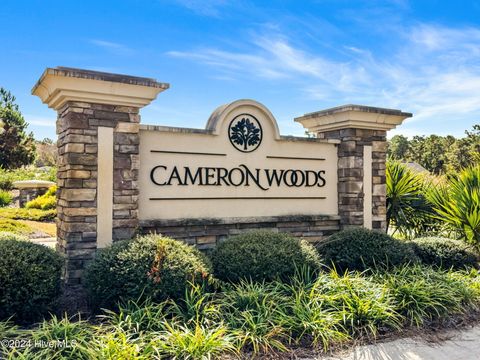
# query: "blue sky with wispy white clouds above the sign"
{"type": "Point", "coordinates": [293, 56]}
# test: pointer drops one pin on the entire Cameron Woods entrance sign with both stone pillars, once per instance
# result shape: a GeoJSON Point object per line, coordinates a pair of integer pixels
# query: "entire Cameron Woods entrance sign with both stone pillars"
{"type": "Point", "coordinates": [117, 177]}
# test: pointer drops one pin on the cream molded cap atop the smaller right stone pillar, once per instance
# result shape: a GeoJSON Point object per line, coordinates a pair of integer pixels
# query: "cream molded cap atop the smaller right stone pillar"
{"type": "Point", "coordinates": [353, 116]}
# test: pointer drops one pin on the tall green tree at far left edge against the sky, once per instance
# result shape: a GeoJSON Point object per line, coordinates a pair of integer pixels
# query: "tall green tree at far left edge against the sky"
{"type": "Point", "coordinates": [17, 148]}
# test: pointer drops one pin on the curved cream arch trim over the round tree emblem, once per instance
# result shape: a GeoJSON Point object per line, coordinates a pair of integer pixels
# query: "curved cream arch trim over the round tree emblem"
{"type": "Point", "coordinates": [223, 112]}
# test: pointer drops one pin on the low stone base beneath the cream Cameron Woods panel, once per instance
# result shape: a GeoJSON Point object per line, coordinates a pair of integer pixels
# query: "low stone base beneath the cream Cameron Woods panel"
{"type": "Point", "coordinates": [206, 233]}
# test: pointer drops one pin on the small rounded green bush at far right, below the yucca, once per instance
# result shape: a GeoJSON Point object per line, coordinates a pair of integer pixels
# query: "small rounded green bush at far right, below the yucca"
{"type": "Point", "coordinates": [445, 253]}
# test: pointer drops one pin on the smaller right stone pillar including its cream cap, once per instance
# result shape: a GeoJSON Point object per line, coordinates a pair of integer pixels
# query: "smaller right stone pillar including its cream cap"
{"type": "Point", "coordinates": [361, 159]}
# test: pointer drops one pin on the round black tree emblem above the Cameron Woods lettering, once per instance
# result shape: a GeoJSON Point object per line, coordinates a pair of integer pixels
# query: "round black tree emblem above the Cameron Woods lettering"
{"type": "Point", "coordinates": [245, 132]}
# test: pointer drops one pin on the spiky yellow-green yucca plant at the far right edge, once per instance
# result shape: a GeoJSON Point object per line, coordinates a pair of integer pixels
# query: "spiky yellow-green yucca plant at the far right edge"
{"type": "Point", "coordinates": [457, 203]}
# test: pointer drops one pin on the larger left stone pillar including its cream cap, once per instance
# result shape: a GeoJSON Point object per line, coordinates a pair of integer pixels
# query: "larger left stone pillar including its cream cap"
{"type": "Point", "coordinates": [98, 161]}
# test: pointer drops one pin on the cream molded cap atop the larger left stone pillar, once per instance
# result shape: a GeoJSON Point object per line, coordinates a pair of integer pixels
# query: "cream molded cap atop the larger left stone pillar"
{"type": "Point", "coordinates": [58, 85]}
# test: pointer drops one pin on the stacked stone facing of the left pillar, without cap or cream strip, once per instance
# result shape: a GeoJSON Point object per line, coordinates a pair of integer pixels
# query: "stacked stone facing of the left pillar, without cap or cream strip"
{"type": "Point", "coordinates": [77, 127]}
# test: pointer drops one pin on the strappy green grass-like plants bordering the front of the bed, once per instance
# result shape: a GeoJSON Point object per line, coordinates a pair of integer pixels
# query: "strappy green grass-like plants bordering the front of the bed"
{"type": "Point", "coordinates": [315, 310]}
